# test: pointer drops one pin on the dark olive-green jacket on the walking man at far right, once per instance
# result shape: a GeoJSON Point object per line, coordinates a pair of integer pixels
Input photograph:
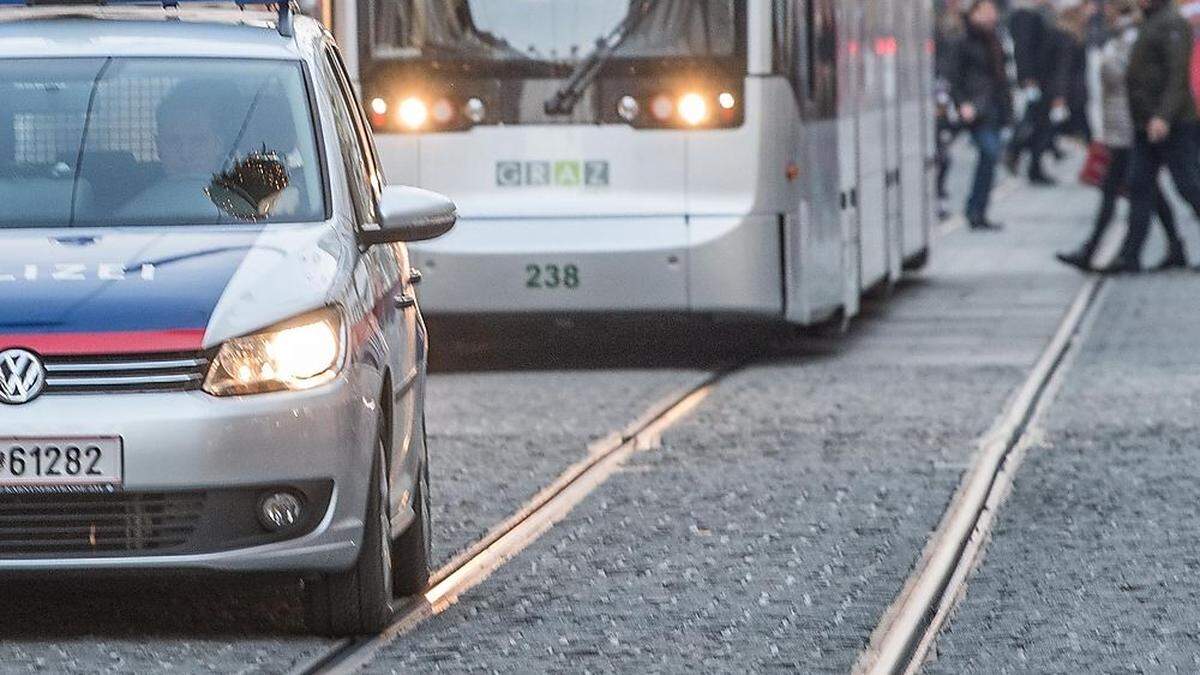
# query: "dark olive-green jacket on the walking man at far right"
{"type": "Point", "coordinates": [1159, 76]}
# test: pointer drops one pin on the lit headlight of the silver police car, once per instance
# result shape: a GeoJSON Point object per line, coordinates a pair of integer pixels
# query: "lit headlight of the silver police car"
{"type": "Point", "coordinates": [297, 355]}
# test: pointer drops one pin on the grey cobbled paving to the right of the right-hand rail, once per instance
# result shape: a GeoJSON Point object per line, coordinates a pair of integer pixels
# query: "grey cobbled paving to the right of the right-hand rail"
{"type": "Point", "coordinates": [1093, 566]}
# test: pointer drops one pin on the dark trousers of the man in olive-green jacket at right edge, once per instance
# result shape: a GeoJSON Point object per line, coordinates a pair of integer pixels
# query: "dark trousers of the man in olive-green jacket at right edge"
{"type": "Point", "coordinates": [1179, 156]}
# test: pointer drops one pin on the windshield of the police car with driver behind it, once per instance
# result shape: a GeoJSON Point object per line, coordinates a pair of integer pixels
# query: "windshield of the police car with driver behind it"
{"type": "Point", "coordinates": [133, 142]}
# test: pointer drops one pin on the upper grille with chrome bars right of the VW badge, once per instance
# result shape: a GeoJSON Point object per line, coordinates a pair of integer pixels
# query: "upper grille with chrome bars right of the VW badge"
{"type": "Point", "coordinates": [135, 373]}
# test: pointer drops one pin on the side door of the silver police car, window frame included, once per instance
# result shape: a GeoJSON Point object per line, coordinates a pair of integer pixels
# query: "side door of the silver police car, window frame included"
{"type": "Point", "coordinates": [392, 283]}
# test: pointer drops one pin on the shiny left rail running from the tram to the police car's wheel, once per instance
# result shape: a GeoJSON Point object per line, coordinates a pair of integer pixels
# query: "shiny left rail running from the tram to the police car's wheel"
{"type": "Point", "coordinates": [551, 505]}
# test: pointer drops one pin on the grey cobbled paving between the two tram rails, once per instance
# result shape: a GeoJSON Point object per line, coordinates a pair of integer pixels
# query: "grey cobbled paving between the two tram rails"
{"type": "Point", "coordinates": [777, 524]}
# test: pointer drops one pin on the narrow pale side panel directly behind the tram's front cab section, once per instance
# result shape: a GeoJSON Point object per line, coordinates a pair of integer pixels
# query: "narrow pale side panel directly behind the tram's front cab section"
{"type": "Point", "coordinates": [850, 70]}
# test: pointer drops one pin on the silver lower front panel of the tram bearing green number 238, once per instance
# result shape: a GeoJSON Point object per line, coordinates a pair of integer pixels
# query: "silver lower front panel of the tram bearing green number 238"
{"type": "Point", "coordinates": [604, 265]}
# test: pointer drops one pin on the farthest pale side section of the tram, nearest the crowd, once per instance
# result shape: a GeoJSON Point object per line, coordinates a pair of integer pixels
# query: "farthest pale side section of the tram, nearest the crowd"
{"type": "Point", "coordinates": [915, 237]}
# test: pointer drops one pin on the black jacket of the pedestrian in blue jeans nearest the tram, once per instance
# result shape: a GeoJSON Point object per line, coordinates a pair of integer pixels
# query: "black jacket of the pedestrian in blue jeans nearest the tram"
{"type": "Point", "coordinates": [977, 76]}
